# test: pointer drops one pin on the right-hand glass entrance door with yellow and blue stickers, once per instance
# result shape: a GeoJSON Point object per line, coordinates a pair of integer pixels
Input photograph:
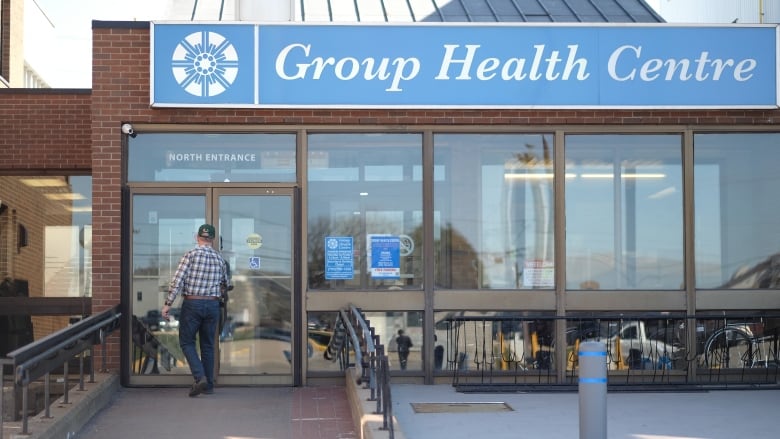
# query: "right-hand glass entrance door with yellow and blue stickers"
{"type": "Point", "coordinates": [256, 238]}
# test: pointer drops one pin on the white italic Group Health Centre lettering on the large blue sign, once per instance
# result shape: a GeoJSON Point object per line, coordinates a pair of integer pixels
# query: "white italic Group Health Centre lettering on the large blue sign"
{"type": "Point", "coordinates": [624, 64]}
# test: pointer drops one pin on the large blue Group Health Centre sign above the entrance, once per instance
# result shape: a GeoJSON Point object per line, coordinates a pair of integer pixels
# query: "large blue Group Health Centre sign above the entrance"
{"type": "Point", "coordinates": [464, 66]}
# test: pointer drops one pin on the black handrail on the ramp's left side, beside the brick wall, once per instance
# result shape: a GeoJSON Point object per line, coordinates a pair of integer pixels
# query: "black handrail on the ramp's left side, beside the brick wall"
{"type": "Point", "coordinates": [40, 358]}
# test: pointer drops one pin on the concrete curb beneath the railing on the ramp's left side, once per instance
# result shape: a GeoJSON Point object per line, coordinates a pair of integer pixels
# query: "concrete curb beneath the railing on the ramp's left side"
{"type": "Point", "coordinates": [67, 419]}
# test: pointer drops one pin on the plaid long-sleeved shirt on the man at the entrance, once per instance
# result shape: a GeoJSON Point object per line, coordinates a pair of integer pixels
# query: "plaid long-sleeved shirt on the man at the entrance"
{"type": "Point", "coordinates": [201, 272]}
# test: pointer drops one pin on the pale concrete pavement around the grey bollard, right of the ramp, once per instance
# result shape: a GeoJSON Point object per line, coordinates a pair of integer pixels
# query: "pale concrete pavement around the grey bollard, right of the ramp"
{"type": "Point", "coordinates": [724, 414]}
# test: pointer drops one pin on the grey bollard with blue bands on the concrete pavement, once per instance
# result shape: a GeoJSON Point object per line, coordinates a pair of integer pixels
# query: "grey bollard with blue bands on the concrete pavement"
{"type": "Point", "coordinates": [593, 390]}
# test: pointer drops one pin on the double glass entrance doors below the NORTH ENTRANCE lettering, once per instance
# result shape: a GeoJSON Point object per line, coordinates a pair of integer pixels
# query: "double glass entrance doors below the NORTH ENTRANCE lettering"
{"type": "Point", "coordinates": [258, 341]}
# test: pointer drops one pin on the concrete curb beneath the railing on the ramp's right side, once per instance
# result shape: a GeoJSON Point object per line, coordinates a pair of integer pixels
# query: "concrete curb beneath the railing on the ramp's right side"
{"type": "Point", "coordinates": [367, 421]}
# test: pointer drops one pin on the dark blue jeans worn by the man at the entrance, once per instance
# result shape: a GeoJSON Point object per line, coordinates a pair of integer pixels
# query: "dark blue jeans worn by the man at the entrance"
{"type": "Point", "coordinates": [199, 318]}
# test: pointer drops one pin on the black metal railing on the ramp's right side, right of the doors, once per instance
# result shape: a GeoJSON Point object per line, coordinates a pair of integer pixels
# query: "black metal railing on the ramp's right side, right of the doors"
{"type": "Point", "coordinates": [353, 334]}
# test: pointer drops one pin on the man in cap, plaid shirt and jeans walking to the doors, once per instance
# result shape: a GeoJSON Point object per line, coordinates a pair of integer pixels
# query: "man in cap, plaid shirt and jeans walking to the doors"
{"type": "Point", "coordinates": [200, 278]}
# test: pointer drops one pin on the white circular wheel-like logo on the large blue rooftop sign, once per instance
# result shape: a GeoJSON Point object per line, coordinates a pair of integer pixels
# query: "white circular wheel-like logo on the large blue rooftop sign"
{"type": "Point", "coordinates": [205, 64]}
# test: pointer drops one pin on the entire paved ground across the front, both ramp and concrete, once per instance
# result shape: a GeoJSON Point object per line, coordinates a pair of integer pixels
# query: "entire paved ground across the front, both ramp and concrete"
{"type": "Point", "coordinates": [421, 412]}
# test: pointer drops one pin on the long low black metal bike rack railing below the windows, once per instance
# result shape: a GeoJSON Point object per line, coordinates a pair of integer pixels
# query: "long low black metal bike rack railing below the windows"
{"type": "Point", "coordinates": [644, 349]}
